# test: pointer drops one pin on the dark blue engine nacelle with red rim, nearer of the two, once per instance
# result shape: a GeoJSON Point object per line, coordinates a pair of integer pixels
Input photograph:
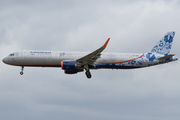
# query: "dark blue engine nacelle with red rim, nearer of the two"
{"type": "Point", "coordinates": [69, 65]}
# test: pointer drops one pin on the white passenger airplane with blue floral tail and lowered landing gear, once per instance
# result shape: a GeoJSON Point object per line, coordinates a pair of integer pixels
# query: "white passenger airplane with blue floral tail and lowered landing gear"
{"type": "Point", "coordinates": [74, 62]}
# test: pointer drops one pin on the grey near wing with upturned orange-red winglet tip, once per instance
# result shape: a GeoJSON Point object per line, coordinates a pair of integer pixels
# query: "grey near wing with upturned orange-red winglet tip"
{"type": "Point", "coordinates": [92, 57]}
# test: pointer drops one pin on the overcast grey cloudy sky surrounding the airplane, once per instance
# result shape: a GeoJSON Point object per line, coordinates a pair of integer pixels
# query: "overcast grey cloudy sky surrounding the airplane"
{"type": "Point", "coordinates": [48, 93]}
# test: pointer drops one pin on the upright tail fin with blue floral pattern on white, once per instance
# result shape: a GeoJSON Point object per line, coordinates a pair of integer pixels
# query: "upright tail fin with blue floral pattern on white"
{"type": "Point", "coordinates": [164, 45]}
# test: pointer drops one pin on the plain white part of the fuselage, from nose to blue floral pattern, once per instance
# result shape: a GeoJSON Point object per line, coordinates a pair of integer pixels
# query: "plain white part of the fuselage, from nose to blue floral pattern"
{"type": "Point", "coordinates": [54, 58]}
